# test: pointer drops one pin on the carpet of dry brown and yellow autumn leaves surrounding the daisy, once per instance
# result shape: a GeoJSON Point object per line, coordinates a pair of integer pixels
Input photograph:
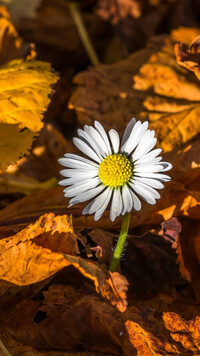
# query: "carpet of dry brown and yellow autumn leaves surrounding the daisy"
{"type": "Point", "coordinates": [56, 294]}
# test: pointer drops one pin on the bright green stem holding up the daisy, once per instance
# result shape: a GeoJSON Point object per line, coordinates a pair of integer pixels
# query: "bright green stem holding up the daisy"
{"type": "Point", "coordinates": [120, 243]}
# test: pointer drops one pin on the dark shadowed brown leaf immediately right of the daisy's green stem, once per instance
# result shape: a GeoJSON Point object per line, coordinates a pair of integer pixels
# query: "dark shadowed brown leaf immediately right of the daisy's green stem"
{"type": "Point", "coordinates": [150, 265]}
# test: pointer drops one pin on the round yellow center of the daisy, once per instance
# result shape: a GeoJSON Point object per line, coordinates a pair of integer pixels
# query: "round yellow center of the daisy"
{"type": "Point", "coordinates": [115, 170]}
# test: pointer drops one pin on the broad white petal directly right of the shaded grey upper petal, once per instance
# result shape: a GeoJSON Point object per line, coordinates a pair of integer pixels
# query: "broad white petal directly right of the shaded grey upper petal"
{"type": "Point", "coordinates": [135, 137]}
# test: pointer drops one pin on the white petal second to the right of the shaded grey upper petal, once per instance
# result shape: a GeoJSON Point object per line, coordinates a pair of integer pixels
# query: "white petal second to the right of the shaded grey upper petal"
{"type": "Point", "coordinates": [146, 144]}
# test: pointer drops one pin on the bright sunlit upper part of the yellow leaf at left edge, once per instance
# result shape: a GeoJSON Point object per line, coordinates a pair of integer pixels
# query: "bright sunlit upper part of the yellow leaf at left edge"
{"type": "Point", "coordinates": [24, 92]}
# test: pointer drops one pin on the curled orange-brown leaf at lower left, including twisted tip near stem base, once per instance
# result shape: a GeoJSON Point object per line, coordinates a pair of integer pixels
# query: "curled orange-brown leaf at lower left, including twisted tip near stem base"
{"type": "Point", "coordinates": [47, 246]}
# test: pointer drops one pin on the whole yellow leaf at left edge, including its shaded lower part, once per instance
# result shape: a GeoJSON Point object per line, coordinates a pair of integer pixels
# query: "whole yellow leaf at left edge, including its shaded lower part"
{"type": "Point", "coordinates": [24, 96]}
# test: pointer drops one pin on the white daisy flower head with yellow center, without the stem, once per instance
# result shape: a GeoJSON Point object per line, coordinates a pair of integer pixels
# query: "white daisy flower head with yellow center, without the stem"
{"type": "Point", "coordinates": [115, 174]}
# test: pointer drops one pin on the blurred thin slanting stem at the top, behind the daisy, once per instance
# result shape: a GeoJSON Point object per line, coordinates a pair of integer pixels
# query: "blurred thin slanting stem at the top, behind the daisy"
{"type": "Point", "coordinates": [89, 48]}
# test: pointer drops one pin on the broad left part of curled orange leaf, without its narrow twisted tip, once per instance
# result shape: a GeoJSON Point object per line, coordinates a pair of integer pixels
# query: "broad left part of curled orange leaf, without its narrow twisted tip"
{"type": "Point", "coordinates": [31, 255]}
